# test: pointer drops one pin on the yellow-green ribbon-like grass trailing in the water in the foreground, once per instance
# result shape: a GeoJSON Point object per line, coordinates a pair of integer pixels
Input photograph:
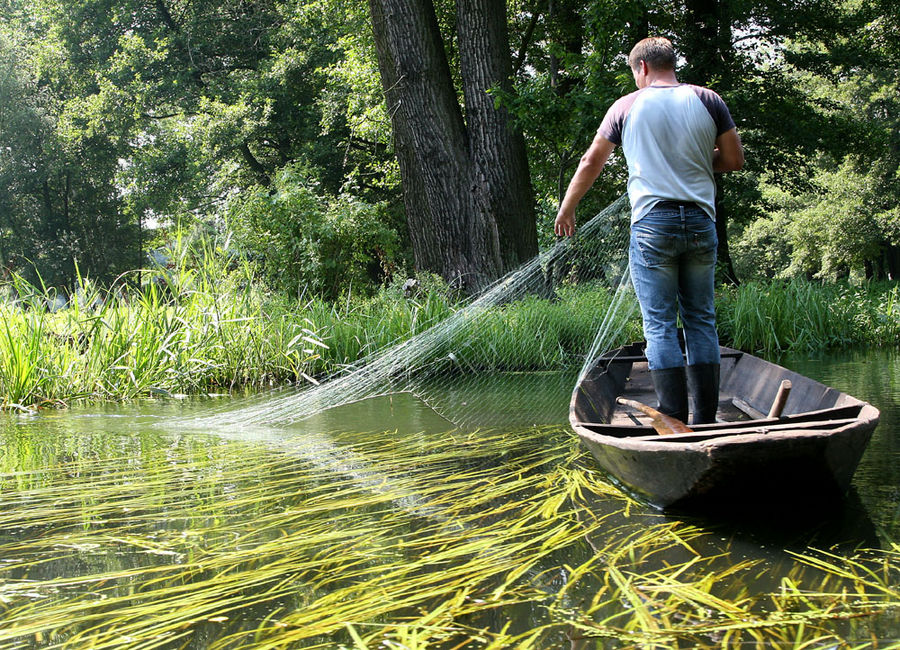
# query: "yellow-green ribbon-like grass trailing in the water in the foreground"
{"type": "Point", "coordinates": [485, 539]}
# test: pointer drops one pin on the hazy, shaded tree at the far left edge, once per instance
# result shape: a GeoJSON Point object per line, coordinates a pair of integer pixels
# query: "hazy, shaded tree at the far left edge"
{"type": "Point", "coordinates": [58, 199]}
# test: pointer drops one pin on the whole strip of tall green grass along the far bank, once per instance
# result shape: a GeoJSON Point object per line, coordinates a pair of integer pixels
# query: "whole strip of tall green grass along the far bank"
{"type": "Point", "coordinates": [207, 325]}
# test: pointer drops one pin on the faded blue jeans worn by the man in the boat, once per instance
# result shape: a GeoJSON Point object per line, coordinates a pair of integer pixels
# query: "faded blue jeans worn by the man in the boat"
{"type": "Point", "coordinates": [672, 258]}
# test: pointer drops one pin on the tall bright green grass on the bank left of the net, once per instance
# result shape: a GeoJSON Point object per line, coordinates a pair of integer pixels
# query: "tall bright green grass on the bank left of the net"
{"type": "Point", "coordinates": [204, 325]}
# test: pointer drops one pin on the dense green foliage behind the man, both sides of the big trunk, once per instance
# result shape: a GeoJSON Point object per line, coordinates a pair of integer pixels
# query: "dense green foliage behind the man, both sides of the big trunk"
{"type": "Point", "coordinates": [124, 120]}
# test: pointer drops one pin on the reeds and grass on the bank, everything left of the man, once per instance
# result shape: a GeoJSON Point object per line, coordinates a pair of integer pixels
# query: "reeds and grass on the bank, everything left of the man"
{"type": "Point", "coordinates": [197, 330]}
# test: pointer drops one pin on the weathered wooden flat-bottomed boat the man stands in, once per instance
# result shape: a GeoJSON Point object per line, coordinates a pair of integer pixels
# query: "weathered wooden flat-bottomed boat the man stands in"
{"type": "Point", "coordinates": [807, 454]}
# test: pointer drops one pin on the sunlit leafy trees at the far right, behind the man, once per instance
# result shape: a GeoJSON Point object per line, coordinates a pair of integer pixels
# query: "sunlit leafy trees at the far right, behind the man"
{"type": "Point", "coordinates": [843, 219]}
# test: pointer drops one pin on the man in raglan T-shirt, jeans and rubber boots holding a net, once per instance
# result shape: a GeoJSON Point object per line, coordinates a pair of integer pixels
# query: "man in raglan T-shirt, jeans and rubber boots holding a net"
{"type": "Point", "coordinates": [674, 136]}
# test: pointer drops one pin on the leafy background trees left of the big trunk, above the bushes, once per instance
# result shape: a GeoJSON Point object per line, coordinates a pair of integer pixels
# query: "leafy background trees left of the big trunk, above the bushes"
{"type": "Point", "coordinates": [160, 110]}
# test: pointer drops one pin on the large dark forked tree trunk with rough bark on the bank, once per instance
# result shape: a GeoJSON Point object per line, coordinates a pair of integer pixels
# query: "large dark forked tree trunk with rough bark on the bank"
{"type": "Point", "coordinates": [466, 191]}
